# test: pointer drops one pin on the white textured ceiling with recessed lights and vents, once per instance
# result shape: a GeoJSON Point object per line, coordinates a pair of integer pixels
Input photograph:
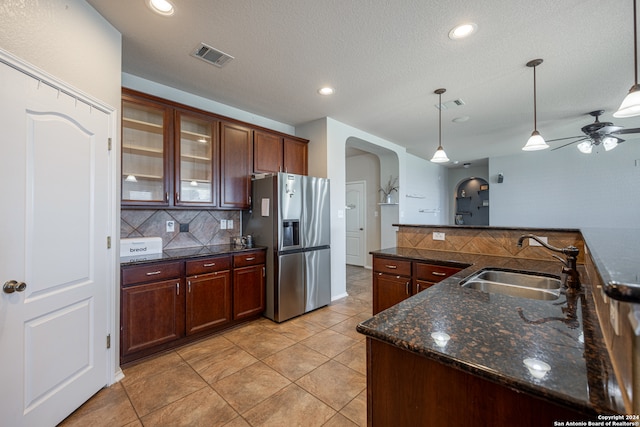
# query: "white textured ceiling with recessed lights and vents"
{"type": "Point", "coordinates": [386, 57]}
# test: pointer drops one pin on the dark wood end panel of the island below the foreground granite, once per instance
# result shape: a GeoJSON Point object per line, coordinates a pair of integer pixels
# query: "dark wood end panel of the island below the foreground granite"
{"type": "Point", "coordinates": [406, 389]}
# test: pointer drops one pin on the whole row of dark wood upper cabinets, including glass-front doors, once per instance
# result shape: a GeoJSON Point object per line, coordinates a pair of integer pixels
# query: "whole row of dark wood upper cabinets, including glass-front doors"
{"type": "Point", "coordinates": [177, 156]}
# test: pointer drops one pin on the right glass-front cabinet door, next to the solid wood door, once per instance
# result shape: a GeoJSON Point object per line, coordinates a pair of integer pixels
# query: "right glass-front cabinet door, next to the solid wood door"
{"type": "Point", "coordinates": [195, 179]}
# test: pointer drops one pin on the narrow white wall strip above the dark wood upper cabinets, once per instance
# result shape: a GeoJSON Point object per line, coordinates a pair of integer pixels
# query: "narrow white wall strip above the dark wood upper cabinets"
{"type": "Point", "coordinates": [147, 86]}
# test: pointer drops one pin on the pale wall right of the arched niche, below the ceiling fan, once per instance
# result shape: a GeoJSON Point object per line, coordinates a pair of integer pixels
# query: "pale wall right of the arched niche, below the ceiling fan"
{"type": "Point", "coordinates": [565, 188]}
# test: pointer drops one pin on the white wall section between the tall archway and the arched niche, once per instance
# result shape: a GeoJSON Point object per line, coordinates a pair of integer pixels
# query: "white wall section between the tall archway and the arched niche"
{"type": "Point", "coordinates": [426, 199]}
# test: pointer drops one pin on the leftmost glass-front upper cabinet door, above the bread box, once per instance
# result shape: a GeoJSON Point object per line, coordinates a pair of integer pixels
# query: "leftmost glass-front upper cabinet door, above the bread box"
{"type": "Point", "coordinates": [144, 153]}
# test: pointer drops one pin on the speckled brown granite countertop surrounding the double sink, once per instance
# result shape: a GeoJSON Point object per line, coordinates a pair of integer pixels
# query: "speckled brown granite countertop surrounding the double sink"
{"type": "Point", "coordinates": [492, 334]}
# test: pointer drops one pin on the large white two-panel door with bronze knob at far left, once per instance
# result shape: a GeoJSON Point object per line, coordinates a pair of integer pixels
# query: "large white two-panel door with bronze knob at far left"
{"type": "Point", "coordinates": [55, 222]}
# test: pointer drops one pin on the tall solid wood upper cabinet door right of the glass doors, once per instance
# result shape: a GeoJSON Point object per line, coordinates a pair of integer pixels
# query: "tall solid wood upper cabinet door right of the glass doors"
{"type": "Point", "coordinates": [236, 158]}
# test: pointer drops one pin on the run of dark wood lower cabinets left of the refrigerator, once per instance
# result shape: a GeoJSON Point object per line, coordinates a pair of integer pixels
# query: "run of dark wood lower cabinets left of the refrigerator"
{"type": "Point", "coordinates": [167, 304]}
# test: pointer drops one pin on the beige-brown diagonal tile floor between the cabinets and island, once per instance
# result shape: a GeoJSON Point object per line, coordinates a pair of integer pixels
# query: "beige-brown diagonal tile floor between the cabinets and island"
{"type": "Point", "coordinates": [308, 371]}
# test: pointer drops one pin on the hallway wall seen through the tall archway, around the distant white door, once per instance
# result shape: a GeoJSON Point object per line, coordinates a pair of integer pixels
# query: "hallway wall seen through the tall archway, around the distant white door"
{"type": "Point", "coordinates": [366, 168]}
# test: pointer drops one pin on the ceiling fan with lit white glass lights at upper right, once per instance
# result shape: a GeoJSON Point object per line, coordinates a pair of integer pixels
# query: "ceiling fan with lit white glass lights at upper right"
{"type": "Point", "coordinates": [597, 133]}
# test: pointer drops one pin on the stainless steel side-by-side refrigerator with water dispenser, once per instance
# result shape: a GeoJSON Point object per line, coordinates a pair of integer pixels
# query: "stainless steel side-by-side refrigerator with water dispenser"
{"type": "Point", "coordinates": [290, 215]}
